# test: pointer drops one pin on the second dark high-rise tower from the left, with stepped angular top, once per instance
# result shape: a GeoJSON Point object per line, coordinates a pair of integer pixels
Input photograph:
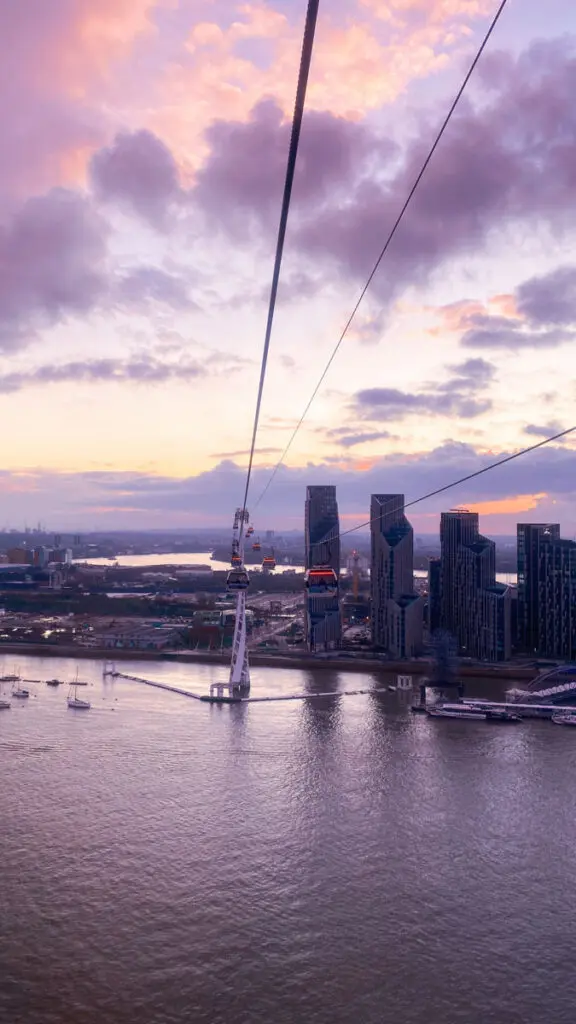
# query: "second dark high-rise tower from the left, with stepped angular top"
{"type": "Point", "coordinates": [397, 611]}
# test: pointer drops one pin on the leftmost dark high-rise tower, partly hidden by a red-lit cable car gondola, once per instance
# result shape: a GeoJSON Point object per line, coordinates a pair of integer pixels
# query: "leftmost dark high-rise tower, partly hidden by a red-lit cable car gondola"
{"type": "Point", "coordinates": [322, 542]}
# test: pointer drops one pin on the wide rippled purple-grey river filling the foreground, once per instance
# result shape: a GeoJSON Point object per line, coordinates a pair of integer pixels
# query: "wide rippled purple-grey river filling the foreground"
{"type": "Point", "coordinates": [326, 862]}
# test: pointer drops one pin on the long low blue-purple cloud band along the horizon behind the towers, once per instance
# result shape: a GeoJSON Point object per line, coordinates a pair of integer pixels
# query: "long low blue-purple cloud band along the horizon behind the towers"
{"type": "Point", "coordinates": [168, 500]}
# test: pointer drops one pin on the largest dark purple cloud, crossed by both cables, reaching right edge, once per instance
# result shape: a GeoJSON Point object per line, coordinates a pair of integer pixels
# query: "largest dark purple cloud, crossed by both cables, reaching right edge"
{"type": "Point", "coordinates": [501, 162]}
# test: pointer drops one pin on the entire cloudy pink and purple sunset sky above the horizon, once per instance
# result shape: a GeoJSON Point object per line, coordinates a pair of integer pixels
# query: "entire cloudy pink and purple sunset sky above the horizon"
{"type": "Point", "coordinates": [144, 151]}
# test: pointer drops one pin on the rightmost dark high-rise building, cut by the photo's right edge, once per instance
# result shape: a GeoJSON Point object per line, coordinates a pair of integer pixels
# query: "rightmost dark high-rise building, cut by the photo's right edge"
{"type": "Point", "coordinates": [547, 591]}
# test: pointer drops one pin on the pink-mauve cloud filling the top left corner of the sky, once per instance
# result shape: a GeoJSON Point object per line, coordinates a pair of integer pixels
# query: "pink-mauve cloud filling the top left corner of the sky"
{"type": "Point", "coordinates": [58, 58]}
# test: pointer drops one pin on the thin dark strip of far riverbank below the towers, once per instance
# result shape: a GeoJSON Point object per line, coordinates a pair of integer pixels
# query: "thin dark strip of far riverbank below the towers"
{"type": "Point", "coordinates": [301, 661]}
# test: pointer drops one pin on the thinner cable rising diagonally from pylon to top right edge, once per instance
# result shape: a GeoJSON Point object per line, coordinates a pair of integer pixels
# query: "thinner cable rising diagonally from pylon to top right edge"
{"type": "Point", "coordinates": [390, 238]}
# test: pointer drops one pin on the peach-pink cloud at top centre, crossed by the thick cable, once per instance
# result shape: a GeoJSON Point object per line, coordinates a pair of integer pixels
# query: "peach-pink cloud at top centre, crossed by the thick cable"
{"type": "Point", "coordinates": [358, 65]}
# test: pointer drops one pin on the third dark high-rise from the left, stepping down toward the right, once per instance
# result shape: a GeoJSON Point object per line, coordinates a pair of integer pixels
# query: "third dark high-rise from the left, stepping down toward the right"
{"type": "Point", "coordinates": [473, 607]}
